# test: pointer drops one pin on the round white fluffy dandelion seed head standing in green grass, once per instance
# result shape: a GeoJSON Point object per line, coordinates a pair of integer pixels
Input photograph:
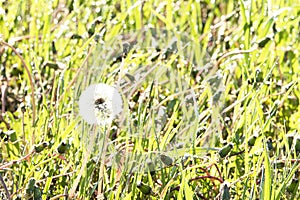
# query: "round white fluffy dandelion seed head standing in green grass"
{"type": "Point", "coordinates": [100, 104]}
